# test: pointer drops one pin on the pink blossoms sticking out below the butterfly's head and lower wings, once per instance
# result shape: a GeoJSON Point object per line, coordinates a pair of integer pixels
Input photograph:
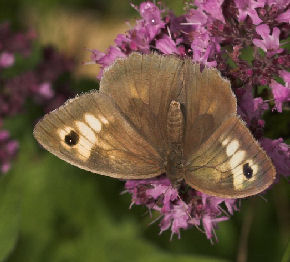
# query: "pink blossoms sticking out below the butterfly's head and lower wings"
{"type": "Point", "coordinates": [177, 214]}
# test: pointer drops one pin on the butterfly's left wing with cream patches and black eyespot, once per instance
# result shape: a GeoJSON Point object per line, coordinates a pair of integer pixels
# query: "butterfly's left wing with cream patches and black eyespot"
{"type": "Point", "coordinates": [90, 132]}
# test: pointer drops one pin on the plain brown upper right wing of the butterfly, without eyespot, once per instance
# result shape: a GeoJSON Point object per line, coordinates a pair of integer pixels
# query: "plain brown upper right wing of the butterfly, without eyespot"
{"type": "Point", "coordinates": [208, 102]}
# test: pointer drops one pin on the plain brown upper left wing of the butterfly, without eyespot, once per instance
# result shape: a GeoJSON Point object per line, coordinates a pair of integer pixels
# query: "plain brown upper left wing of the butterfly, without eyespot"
{"type": "Point", "coordinates": [143, 87]}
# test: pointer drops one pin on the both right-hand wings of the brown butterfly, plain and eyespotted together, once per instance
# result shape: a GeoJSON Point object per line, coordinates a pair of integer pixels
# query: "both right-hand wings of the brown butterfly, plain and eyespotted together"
{"type": "Point", "coordinates": [221, 156]}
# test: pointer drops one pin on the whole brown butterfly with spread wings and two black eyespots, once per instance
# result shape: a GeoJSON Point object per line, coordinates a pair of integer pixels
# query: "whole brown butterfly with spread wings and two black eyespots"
{"type": "Point", "coordinates": [156, 114]}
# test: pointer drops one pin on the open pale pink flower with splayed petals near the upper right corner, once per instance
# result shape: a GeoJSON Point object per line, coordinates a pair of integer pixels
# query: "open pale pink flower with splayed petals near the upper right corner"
{"type": "Point", "coordinates": [269, 43]}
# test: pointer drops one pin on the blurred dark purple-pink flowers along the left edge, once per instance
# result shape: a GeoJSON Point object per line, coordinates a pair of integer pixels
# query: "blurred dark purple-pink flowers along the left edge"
{"type": "Point", "coordinates": [35, 84]}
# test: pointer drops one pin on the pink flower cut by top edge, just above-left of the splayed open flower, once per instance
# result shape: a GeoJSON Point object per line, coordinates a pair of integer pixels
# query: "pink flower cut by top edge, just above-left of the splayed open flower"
{"type": "Point", "coordinates": [248, 8]}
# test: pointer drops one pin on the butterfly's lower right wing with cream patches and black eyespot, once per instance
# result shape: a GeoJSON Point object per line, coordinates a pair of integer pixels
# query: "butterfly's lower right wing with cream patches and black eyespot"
{"type": "Point", "coordinates": [230, 164]}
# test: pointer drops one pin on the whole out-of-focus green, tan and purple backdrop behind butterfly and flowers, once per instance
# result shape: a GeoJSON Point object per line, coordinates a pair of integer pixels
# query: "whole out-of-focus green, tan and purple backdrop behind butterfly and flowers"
{"type": "Point", "coordinates": [52, 211]}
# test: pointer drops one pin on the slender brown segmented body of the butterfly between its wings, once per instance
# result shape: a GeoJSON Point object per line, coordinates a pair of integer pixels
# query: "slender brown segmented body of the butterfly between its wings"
{"type": "Point", "coordinates": [175, 130]}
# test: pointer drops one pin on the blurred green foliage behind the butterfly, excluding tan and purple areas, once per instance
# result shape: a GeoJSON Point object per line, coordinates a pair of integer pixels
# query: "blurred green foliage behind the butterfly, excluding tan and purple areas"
{"type": "Point", "coordinates": [52, 211]}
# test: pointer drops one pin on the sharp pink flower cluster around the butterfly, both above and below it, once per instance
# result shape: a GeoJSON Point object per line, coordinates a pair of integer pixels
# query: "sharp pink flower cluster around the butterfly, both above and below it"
{"type": "Point", "coordinates": [214, 33]}
